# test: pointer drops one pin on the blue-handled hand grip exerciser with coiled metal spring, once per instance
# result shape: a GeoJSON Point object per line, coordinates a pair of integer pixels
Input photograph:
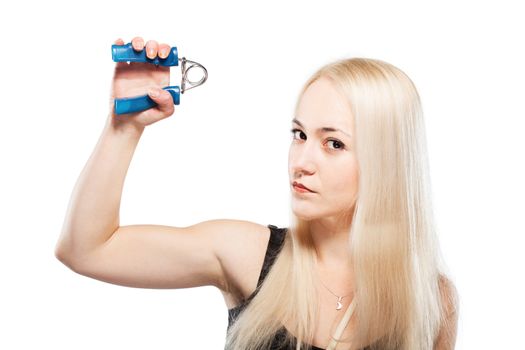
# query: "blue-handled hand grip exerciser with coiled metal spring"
{"type": "Point", "coordinates": [125, 53]}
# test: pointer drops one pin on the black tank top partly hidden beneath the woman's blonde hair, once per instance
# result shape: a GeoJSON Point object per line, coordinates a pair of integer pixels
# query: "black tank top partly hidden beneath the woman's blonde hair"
{"type": "Point", "coordinates": [277, 236]}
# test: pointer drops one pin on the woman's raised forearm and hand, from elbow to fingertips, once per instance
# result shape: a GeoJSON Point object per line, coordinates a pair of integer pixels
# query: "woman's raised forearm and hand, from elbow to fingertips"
{"type": "Point", "coordinates": [93, 212]}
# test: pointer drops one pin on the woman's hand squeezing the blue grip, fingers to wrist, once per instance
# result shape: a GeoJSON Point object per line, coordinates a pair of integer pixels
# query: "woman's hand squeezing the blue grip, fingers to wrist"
{"type": "Point", "coordinates": [140, 78]}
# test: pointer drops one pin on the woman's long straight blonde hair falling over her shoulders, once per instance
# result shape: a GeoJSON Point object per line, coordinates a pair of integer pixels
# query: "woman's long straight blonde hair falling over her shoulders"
{"type": "Point", "coordinates": [396, 258]}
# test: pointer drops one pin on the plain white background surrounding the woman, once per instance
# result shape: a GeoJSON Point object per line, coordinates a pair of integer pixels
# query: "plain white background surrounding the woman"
{"type": "Point", "coordinates": [223, 154]}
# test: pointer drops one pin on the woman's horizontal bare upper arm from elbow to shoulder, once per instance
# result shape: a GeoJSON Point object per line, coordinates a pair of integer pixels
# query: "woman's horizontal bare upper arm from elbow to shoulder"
{"type": "Point", "coordinates": [156, 256]}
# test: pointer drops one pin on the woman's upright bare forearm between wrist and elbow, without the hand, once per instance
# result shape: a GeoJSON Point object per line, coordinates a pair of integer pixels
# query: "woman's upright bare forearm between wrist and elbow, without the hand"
{"type": "Point", "coordinates": [93, 211]}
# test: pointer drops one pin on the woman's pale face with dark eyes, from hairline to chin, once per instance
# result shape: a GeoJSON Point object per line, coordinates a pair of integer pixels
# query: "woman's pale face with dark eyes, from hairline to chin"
{"type": "Point", "coordinates": [323, 161]}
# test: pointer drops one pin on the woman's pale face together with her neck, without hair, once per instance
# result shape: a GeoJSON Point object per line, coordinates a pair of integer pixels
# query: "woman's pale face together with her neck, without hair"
{"type": "Point", "coordinates": [325, 163]}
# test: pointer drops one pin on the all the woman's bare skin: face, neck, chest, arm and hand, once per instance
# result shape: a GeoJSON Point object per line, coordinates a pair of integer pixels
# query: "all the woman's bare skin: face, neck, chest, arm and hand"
{"type": "Point", "coordinates": [225, 253]}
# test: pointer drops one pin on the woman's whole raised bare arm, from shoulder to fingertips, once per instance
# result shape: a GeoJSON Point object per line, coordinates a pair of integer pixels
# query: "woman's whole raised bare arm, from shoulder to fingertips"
{"type": "Point", "coordinates": [93, 243]}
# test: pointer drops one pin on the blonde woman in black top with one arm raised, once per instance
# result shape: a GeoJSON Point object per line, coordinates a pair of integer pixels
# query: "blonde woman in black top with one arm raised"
{"type": "Point", "coordinates": [360, 266]}
